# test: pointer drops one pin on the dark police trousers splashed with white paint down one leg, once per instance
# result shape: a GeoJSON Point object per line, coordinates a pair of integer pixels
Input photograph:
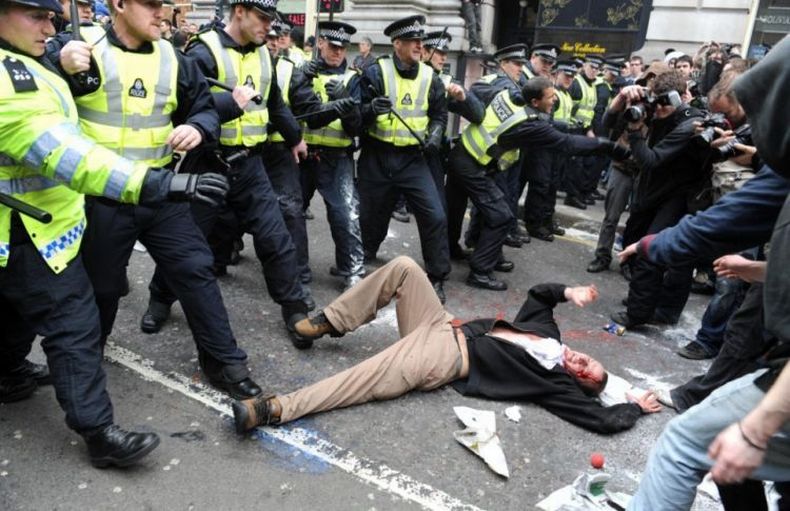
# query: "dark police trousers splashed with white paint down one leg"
{"type": "Point", "coordinates": [331, 172]}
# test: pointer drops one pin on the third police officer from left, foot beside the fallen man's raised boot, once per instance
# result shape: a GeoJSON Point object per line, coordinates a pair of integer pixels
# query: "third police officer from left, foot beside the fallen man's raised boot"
{"type": "Point", "coordinates": [235, 55]}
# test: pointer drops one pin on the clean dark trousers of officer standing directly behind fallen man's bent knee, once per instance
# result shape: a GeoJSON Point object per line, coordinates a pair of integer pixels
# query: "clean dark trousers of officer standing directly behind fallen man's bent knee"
{"type": "Point", "coordinates": [385, 171]}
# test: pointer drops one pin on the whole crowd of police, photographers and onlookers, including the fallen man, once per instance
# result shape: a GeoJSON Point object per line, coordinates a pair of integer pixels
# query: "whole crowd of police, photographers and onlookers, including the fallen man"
{"type": "Point", "coordinates": [187, 139]}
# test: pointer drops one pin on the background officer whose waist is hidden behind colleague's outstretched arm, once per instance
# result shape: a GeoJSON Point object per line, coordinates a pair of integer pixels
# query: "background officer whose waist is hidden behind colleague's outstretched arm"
{"type": "Point", "coordinates": [579, 170]}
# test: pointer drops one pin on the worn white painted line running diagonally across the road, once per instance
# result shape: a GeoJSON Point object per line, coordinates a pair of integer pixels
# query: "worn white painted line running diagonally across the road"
{"type": "Point", "coordinates": [378, 475]}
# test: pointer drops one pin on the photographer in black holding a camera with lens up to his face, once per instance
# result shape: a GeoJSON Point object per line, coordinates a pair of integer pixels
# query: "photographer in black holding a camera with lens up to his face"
{"type": "Point", "coordinates": [672, 171]}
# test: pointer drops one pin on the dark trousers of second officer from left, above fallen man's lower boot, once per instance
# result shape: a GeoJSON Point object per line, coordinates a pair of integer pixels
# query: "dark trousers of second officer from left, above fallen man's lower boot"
{"type": "Point", "coordinates": [181, 254]}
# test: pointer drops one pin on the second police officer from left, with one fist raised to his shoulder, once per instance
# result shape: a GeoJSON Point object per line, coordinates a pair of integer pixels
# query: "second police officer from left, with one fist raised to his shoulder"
{"type": "Point", "coordinates": [144, 99]}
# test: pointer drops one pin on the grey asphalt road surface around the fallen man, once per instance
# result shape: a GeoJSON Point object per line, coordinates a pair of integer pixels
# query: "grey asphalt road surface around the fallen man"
{"type": "Point", "coordinates": [398, 454]}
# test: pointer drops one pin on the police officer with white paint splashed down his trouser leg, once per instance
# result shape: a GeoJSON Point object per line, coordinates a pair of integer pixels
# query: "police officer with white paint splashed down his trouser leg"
{"type": "Point", "coordinates": [329, 167]}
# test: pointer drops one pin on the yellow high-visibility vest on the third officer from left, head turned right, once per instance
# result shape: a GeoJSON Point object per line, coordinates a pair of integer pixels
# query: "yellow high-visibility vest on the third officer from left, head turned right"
{"type": "Point", "coordinates": [235, 69]}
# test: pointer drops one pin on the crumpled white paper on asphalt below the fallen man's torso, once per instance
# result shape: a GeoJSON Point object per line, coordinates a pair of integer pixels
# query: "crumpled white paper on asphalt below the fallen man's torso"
{"type": "Point", "coordinates": [480, 437]}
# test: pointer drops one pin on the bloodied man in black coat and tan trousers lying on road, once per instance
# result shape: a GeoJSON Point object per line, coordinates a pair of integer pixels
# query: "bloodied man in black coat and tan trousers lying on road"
{"type": "Point", "coordinates": [519, 361]}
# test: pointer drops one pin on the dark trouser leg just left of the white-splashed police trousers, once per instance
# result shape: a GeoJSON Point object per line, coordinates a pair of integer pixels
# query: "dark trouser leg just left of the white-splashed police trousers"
{"type": "Point", "coordinates": [283, 173]}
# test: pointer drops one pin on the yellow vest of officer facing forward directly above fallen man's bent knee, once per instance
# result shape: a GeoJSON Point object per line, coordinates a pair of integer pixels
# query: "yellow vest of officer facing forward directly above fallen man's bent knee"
{"type": "Point", "coordinates": [410, 99]}
